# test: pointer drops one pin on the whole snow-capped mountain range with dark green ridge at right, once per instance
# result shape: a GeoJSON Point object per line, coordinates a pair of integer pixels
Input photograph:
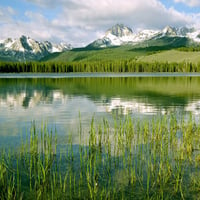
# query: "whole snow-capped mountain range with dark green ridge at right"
{"type": "Point", "coordinates": [28, 49]}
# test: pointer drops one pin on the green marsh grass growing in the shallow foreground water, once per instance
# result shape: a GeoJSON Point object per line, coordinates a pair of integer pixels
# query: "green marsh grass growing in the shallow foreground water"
{"type": "Point", "coordinates": [155, 159]}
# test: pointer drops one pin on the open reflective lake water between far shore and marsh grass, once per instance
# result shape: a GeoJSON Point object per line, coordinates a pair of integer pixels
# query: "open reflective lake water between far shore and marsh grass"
{"type": "Point", "coordinates": [58, 100]}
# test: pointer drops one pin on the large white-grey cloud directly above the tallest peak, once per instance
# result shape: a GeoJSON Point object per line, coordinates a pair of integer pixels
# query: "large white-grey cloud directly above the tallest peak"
{"type": "Point", "coordinates": [93, 14]}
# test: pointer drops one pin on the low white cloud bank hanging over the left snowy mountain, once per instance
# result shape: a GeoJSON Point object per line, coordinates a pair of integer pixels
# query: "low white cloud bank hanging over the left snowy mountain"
{"type": "Point", "coordinates": [42, 29]}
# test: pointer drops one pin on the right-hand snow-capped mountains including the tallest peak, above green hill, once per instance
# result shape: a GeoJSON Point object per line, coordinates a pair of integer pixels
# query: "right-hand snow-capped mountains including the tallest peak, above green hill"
{"type": "Point", "coordinates": [121, 35]}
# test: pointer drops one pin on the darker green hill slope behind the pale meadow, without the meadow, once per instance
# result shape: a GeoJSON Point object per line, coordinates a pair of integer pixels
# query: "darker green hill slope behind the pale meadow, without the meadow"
{"type": "Point", "coordinates": [125, 52]}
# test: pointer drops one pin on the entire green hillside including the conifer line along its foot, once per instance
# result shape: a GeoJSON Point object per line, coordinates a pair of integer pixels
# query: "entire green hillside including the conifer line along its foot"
{"type": "Point", "coordinates": [166, 54]}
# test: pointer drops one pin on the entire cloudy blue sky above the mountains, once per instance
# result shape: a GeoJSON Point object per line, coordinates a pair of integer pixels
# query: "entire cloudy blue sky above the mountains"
{"type": "Point", "coordinates": [79, 22]}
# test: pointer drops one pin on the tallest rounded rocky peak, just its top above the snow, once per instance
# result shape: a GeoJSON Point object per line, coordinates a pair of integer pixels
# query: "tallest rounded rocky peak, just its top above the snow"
{"type": "Point", "coordinates": [120, 30]}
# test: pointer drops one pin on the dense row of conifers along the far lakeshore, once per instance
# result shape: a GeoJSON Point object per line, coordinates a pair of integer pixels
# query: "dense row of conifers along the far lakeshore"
{"type": "Point", "coordinates": [98, 66]}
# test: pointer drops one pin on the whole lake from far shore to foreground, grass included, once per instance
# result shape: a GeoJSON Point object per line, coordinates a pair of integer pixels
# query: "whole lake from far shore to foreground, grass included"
{"type": "Point", "coordinates": [118, 136]}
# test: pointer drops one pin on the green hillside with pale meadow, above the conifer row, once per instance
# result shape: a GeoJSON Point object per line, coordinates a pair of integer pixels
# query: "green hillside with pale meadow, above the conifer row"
{"type": "Point", "coordinates": [147, 51]}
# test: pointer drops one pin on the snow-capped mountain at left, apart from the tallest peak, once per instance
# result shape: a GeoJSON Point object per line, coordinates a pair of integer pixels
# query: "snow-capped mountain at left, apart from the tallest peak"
{"type": "Point", "coordinates": [25, 48]}
